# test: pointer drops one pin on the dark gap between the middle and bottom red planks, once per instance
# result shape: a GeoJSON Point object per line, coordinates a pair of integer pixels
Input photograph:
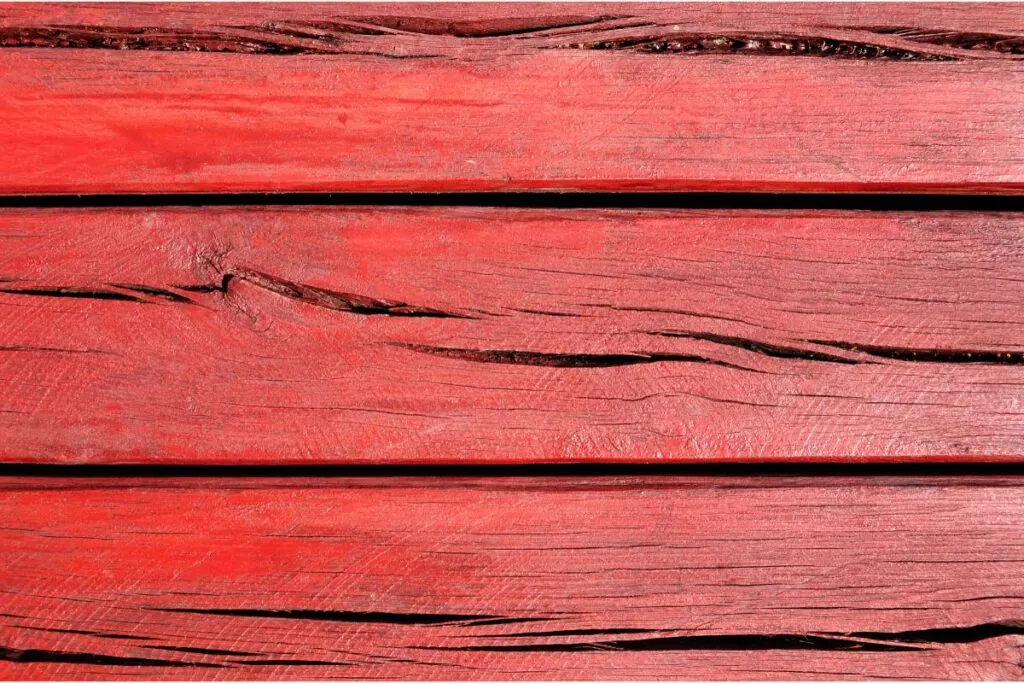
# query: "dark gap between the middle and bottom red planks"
{"type": "Point", "coordinates": [550, 471]}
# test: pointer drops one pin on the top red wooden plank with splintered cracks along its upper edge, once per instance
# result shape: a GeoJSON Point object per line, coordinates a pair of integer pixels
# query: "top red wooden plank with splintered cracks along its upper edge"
{"type": "Point", "coordinates": [791, 98]}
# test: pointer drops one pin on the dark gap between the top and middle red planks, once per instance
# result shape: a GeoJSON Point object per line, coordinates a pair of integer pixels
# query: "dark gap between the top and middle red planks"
{"type": "Point", "coordinates": [540, 200]}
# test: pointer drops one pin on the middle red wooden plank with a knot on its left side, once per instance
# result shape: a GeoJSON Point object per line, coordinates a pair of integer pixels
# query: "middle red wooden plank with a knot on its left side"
{"type": "Point", "coordinates": [481, 335]}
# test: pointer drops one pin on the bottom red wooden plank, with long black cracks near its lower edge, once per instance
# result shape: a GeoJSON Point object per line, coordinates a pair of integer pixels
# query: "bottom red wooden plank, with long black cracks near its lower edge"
{"type": "Point", "coordinates": [547, 579]}
